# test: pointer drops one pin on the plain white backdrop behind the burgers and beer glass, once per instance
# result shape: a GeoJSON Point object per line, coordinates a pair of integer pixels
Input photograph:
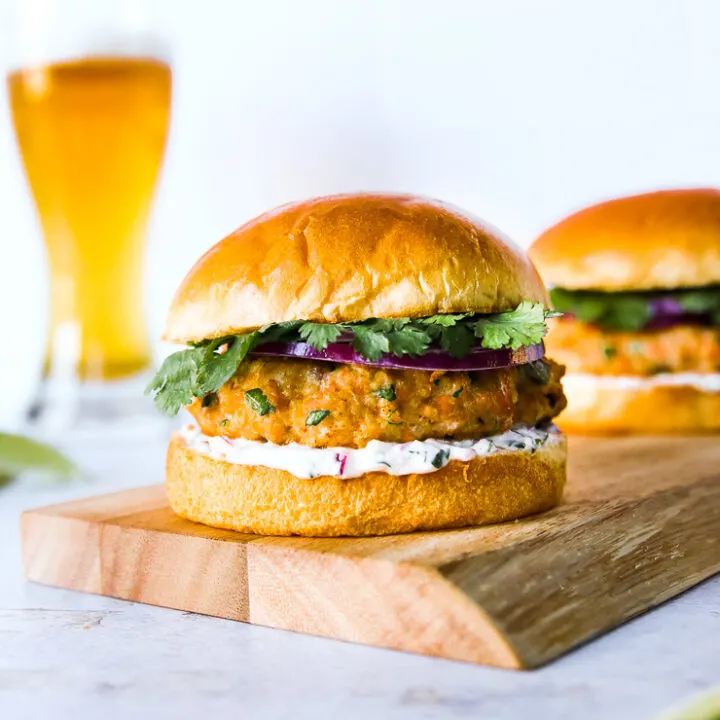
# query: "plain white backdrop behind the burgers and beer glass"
{"type": "Point", "coordinates": [520, 111]}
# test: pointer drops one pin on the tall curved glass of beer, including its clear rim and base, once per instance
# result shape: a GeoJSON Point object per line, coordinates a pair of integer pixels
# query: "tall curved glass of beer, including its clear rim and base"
{"type": "Point", "coordinates": [89, 89]}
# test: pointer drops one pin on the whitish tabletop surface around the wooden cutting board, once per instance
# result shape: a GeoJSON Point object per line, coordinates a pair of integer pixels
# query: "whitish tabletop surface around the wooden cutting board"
{"type": "Point", "coordinates": [69, 655]}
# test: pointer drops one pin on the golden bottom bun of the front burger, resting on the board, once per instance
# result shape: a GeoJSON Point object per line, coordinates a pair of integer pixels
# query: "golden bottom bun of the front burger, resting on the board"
{"type": "Point", "coordinates": [255, 499]}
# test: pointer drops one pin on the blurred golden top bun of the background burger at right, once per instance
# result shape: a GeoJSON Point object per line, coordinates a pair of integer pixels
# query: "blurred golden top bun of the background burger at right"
{"type": "Point", "coordinates": [659, 240]}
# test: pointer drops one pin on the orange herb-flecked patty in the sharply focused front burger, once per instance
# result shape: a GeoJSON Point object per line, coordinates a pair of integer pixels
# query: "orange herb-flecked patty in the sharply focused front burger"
{"type": "Point", "coordinates": [322, 404]}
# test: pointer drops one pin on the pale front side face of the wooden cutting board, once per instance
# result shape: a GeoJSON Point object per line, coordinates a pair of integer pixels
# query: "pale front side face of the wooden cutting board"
{"type": "Point", "coordinates": [401, 606]}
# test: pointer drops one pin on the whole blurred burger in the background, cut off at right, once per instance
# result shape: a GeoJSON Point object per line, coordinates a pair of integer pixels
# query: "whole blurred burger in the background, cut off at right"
{"type": "Point", "coordinates": [638, 281]}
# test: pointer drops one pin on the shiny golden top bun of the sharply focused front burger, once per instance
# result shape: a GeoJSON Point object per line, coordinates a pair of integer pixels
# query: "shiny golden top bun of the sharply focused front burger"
{"type": "Point", "coordinates": [346, 258]}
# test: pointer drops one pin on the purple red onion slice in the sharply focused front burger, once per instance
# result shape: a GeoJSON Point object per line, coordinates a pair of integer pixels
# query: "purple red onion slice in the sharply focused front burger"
{"type": "Point", "coordinates": [433, 359]}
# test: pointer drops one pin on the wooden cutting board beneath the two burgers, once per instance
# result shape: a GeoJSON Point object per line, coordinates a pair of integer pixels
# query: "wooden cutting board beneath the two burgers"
{"type": "Point", "coordinates": [640, 523]}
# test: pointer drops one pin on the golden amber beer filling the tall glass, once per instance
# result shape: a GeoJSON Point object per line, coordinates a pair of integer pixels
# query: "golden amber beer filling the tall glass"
{"type": "Point", "coordinates": [92, 135]}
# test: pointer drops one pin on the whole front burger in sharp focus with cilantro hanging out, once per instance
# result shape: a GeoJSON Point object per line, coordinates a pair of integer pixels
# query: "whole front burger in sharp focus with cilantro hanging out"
{"type": "Point", "coordinates": [362, 365]}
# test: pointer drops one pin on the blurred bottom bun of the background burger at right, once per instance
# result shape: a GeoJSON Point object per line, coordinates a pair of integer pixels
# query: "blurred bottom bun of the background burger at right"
{"type": "Point", "coordinates": [599, 404]}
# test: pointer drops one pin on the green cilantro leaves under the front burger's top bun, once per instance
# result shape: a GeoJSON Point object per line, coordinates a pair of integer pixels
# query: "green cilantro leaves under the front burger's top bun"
{"type": "Point", "coordinates": [206, 366]}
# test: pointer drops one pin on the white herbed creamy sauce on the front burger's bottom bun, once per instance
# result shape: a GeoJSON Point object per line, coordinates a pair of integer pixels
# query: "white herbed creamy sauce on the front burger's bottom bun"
{"type": "Point", "coordinates": [424, 456]}
